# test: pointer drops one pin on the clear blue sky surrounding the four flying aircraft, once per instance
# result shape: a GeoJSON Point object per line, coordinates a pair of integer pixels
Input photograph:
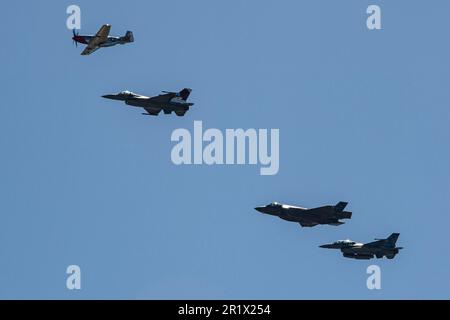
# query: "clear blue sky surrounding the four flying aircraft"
{"type": "Point", "coordinates": [363, 117]}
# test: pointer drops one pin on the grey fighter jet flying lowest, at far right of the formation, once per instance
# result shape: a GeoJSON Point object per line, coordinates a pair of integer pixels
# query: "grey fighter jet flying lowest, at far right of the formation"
{"type": "Point", "coordinates": [379, 248]}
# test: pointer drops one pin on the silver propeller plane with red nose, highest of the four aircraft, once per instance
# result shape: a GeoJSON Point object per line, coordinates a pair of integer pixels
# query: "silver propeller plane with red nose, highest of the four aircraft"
{"type": "Point", "coordinates": [101, 40]}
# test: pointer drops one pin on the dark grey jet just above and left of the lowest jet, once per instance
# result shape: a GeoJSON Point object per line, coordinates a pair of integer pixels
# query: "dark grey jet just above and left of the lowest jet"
{"type": "Point", "coordinates": [308, 217]}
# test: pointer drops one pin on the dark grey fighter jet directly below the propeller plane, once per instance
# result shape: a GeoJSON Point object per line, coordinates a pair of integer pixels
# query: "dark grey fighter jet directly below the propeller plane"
{"type": "Point", "coordinates": [168, 102]}
